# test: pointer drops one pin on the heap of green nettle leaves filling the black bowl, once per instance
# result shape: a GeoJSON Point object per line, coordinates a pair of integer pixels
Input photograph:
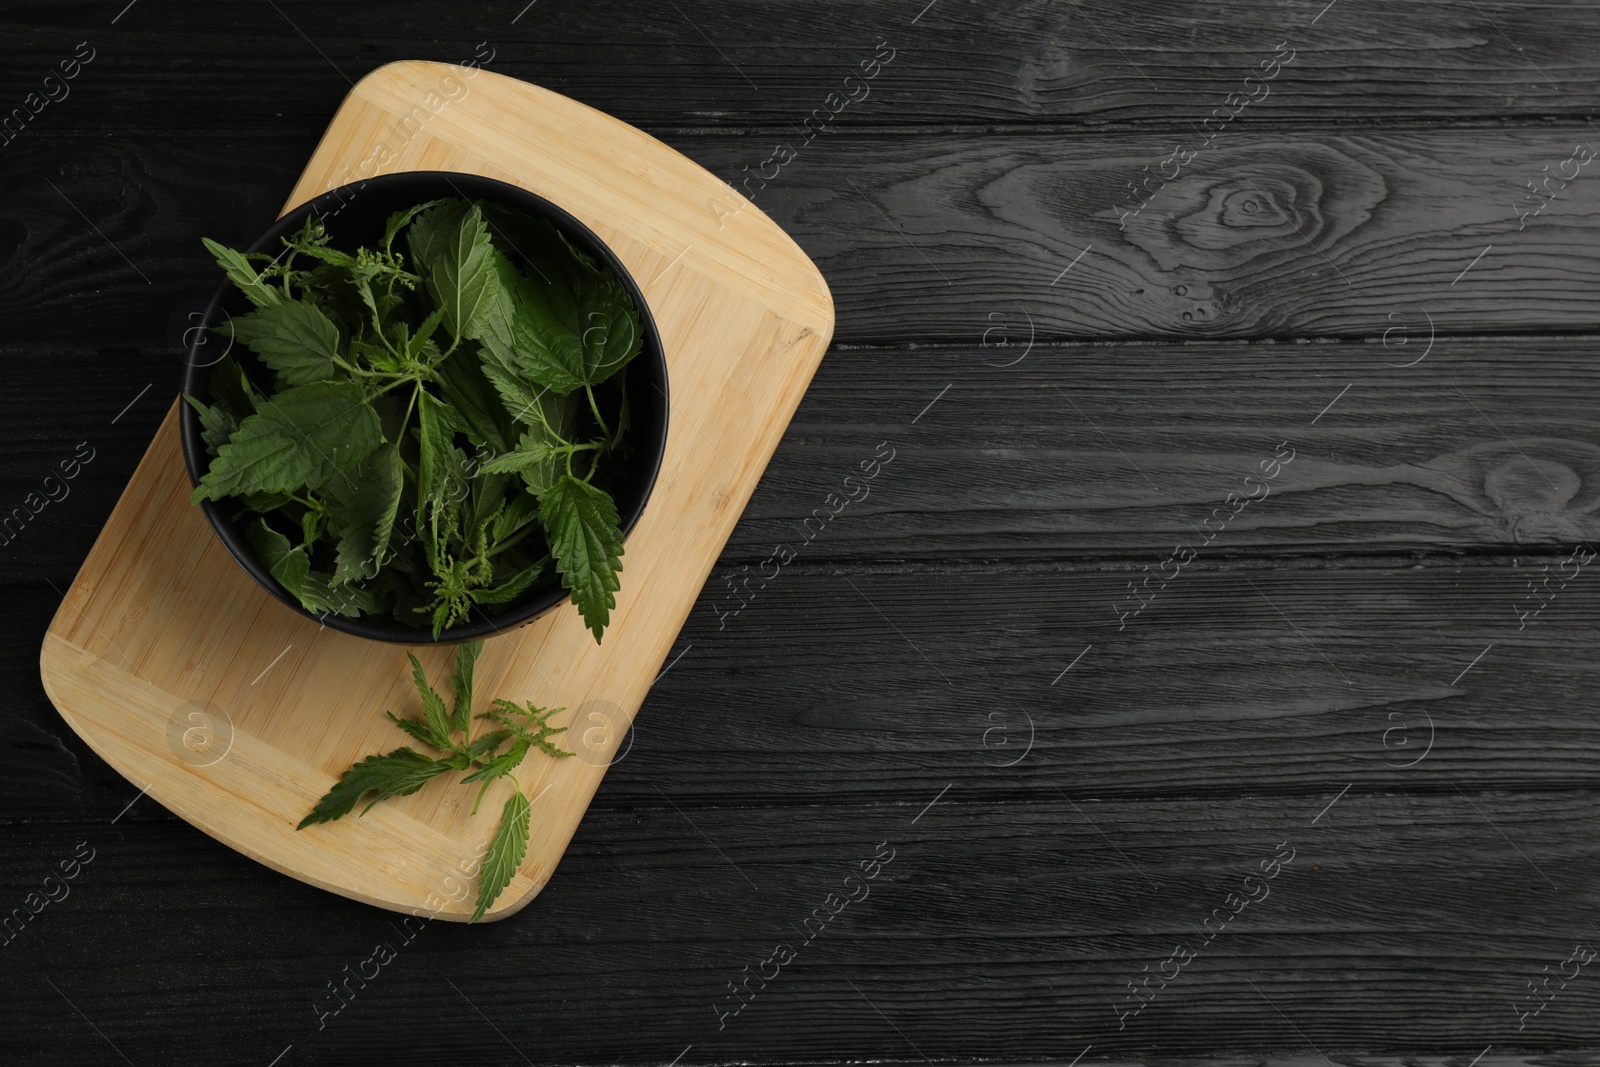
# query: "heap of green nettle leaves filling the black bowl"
{"type": "Point", "coordinates": [473, 326]}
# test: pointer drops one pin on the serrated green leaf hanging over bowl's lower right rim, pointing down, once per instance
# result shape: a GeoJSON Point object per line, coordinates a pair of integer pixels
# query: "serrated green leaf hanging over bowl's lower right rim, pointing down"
{"type": "Point", "coordinates": [586, 541]}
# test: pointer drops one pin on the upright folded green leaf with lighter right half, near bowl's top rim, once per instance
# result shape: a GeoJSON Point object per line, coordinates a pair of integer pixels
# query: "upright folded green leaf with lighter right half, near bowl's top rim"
{"type": "Point", "coordinates": [455, 258]}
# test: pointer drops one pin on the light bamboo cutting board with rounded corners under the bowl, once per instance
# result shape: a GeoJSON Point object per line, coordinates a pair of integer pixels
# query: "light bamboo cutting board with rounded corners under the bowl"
{"type": "Point", "coordinates": [238, 714]}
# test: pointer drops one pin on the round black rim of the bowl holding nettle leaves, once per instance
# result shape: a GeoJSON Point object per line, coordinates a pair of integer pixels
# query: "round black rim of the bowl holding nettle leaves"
{"type": "Point", "coordinates": [196, 377]}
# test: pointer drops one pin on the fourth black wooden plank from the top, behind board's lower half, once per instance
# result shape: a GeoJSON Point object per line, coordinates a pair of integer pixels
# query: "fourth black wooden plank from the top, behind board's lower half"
{"type": "Point", "coordinates": [1242, 677]}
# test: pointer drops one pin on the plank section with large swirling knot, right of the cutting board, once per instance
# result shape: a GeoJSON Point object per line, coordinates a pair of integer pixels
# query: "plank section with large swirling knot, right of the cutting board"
{"type": "Point", "coordinates": [1265, 236]}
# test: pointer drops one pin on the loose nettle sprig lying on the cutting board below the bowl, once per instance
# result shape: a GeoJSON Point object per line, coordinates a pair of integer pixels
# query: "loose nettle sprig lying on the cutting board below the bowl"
{"type": "Point", "coordinates": [406, 770]}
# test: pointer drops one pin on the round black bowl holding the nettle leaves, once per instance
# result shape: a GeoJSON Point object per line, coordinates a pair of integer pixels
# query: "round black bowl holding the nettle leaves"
{"type": "Point", "coordinates": [354, 215]}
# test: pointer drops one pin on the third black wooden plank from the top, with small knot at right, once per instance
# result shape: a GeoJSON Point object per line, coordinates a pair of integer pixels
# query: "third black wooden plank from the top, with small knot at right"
{"type": "Point", "coordinates": [1070, 454]}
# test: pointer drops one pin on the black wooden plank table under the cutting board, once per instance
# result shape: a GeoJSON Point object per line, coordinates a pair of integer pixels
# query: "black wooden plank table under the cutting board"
{"type": "Point", "coordinates": [1209, 673]}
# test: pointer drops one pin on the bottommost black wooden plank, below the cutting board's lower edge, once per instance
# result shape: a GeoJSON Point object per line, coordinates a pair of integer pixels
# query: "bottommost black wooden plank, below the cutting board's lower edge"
{"type": "Point", "coordinates": [998, 932]}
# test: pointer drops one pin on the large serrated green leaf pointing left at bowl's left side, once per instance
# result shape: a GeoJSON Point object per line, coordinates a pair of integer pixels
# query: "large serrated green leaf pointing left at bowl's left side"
{"type": "Point", "coordinates": [302, 438]}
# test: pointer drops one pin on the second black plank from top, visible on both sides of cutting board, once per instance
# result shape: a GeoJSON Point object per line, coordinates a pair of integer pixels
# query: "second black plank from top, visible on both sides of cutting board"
{"type": "Point", "coordinates": [927, 239]}
